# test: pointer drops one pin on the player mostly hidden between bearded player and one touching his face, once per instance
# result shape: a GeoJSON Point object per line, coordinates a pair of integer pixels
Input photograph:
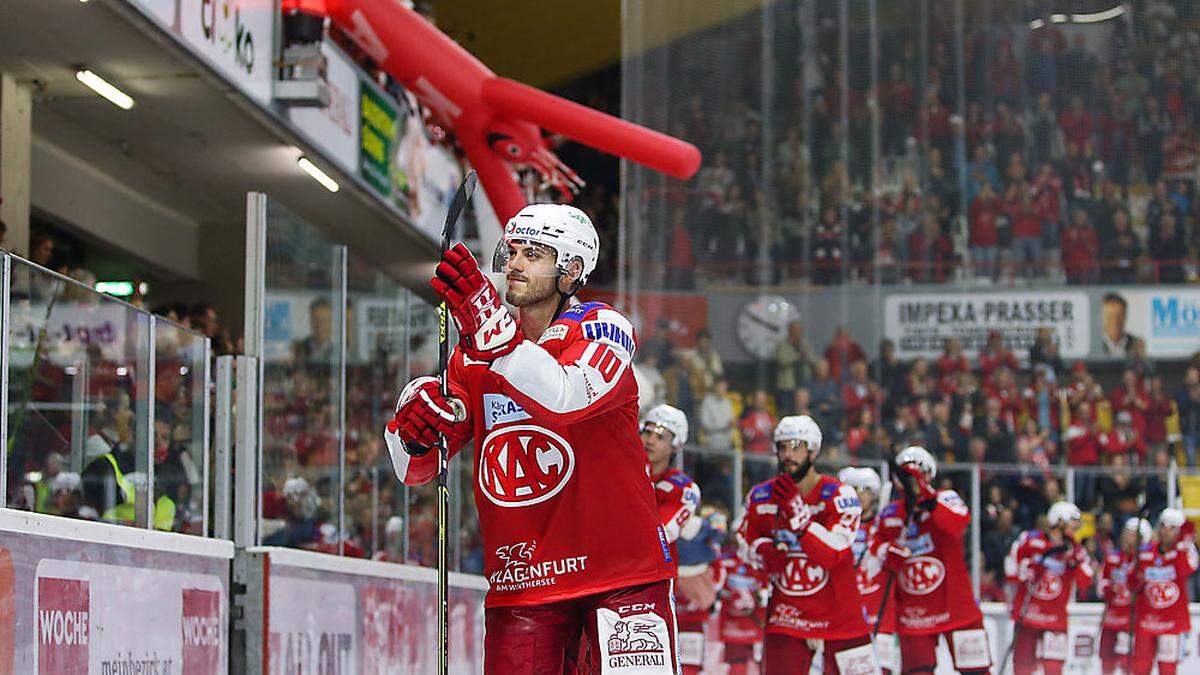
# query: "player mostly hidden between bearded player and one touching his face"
{"type": "Point", "coordinates": [871, 554]}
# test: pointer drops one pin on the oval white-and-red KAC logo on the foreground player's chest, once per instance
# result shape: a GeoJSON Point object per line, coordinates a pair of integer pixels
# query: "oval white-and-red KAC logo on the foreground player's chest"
{"type": "Point", "coordinates": [524, 465]}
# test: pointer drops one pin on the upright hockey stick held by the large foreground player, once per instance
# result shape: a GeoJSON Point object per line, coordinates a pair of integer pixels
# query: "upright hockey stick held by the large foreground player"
{"type": "Point", "coordinates": [457, 207]}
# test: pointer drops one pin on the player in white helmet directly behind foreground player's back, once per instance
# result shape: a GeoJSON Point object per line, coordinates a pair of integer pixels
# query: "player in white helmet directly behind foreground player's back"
{"type": "Point", "coordinates": [664, 432]}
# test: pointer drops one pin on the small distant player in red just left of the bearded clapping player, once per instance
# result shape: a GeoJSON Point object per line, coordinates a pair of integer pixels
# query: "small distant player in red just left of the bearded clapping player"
{"type": "Point", "coordinates": [742, 618]}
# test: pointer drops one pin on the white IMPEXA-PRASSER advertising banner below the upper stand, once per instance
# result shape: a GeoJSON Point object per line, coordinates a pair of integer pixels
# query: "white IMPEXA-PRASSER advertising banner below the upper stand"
{"type": "Point", "coordinates": [920, 324]}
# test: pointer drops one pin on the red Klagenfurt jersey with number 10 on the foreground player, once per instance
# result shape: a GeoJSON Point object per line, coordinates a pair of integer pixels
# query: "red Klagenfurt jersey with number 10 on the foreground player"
{"type": "Point", "coordinates": [566, 507]}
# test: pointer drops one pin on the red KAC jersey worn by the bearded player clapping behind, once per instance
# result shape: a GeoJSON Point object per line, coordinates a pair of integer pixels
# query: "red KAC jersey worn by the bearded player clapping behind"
{"type": "Point", "coordinates": [815, 596]}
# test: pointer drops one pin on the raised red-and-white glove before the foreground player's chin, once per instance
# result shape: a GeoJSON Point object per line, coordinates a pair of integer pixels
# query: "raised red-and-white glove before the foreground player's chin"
{"type": "Point", "coordinates": [487, 331]}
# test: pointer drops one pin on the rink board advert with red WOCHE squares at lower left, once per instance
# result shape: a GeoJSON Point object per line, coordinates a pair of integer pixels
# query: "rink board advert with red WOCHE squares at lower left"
{"type": "Point", "coordinates": [70, 604]}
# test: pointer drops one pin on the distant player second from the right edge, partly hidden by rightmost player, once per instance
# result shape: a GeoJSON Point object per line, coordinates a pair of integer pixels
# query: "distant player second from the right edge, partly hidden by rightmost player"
{"type": "Point", "coordinates": [1113, 588]}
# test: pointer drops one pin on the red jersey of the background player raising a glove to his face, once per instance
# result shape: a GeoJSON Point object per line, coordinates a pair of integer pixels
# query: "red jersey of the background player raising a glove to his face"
{"type": "Point", "coordinates": [933, 590]}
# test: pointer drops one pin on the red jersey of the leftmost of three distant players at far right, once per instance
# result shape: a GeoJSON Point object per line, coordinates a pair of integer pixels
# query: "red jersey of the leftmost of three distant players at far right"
{"type": "Point", "coordinates": [1052, 578]}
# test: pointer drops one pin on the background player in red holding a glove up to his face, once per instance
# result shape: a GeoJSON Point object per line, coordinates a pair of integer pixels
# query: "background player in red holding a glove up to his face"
{"type": "Point", "coordinates": [925, 530]}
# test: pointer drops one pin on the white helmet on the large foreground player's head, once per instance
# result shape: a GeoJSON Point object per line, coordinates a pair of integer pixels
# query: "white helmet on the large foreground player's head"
{"type": "Point", "coordinates": [565, 229]}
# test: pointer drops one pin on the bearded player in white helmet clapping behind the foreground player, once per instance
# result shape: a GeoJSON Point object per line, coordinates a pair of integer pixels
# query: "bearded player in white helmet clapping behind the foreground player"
{"type": "Point", "coordinates": [799, 529]}
